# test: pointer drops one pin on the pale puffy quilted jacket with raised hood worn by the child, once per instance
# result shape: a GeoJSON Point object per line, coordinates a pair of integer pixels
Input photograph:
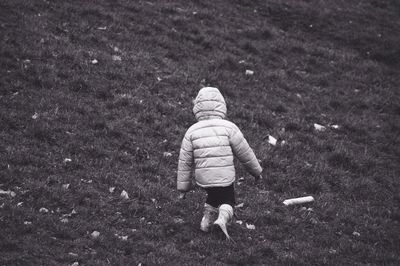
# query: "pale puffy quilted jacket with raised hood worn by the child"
{"type": "Point", "coordinates": [211, 145]}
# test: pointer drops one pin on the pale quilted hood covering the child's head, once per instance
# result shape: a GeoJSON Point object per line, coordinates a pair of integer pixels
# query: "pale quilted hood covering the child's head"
{"type": "Point", "coordinates": [209, 104]}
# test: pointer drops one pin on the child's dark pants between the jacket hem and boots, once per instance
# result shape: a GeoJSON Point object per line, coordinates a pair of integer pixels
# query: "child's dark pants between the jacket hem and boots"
{"type": "Point", "coordinates": [220, 195]}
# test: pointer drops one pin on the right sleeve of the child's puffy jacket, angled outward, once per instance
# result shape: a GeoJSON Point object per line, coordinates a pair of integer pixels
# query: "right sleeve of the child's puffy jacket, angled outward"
{"type": "Point", "coordinates": [244, 153]}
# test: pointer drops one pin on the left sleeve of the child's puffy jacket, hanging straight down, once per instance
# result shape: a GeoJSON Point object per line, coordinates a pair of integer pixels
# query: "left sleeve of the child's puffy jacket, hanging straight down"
{"type": "Point", "coordinates": [185, 165]}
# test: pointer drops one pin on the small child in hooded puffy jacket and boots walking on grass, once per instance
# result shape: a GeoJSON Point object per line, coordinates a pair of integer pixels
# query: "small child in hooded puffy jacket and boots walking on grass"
{"type": "Point", "coordinates": [211, 144]}
